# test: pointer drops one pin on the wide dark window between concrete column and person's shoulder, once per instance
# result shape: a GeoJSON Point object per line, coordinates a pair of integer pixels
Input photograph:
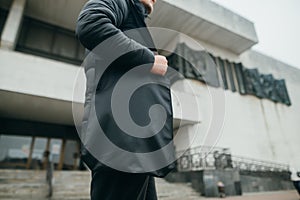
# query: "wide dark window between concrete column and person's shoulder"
{"type": "Point", "coordinates": [46, 40]}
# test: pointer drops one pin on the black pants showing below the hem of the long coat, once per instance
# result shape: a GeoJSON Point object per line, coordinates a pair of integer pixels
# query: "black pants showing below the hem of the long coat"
{"type": "Point", "coordinates": [115, 185]}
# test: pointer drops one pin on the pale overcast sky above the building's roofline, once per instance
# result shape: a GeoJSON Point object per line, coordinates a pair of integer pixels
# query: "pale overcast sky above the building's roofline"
{"type": "Point", "coordinates": [277, 24]}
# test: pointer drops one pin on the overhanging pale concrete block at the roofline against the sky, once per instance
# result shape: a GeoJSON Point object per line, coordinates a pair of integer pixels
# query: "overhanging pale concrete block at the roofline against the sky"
{"type": "Point", "coordinates": [206, 21]}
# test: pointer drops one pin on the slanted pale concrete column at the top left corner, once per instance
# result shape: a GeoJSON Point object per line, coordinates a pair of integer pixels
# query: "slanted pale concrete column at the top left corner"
{"type": "Point", "coordinates": [12, 25]}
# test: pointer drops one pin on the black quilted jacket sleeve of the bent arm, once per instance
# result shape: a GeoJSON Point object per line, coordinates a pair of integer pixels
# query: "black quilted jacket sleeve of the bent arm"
{"type": "Point", "coordinates": [100, 19]}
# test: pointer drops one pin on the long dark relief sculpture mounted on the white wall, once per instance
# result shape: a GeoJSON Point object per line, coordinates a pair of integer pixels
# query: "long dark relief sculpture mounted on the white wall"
{"type": "Point", "coordinates": [202, 66]}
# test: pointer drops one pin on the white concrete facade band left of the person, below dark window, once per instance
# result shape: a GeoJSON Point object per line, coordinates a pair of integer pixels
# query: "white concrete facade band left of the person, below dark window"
{"type": "Point", "coordinates": [33, 75]}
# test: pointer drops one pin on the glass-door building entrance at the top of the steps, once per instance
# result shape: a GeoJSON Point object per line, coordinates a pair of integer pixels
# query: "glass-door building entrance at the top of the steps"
{"type": "Point", "coordinates": [32, 152]}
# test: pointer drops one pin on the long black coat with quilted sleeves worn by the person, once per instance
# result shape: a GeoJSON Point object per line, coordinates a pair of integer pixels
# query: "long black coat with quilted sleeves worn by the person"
{"type": "Point", "coordinates": [106, 28]}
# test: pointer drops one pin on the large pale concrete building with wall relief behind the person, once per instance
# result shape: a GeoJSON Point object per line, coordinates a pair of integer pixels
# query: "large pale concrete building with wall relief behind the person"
{"type": "Point", "coordinates": [256, 117]}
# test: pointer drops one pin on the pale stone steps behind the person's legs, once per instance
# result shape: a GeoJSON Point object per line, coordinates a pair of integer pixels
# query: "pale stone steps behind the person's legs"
{"type": "Point", "coordinates": [72, 185]}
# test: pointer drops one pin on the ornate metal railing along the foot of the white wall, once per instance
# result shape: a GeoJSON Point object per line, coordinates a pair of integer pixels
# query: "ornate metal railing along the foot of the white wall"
{"type": "Point", "coordinates": [205, 157]}
